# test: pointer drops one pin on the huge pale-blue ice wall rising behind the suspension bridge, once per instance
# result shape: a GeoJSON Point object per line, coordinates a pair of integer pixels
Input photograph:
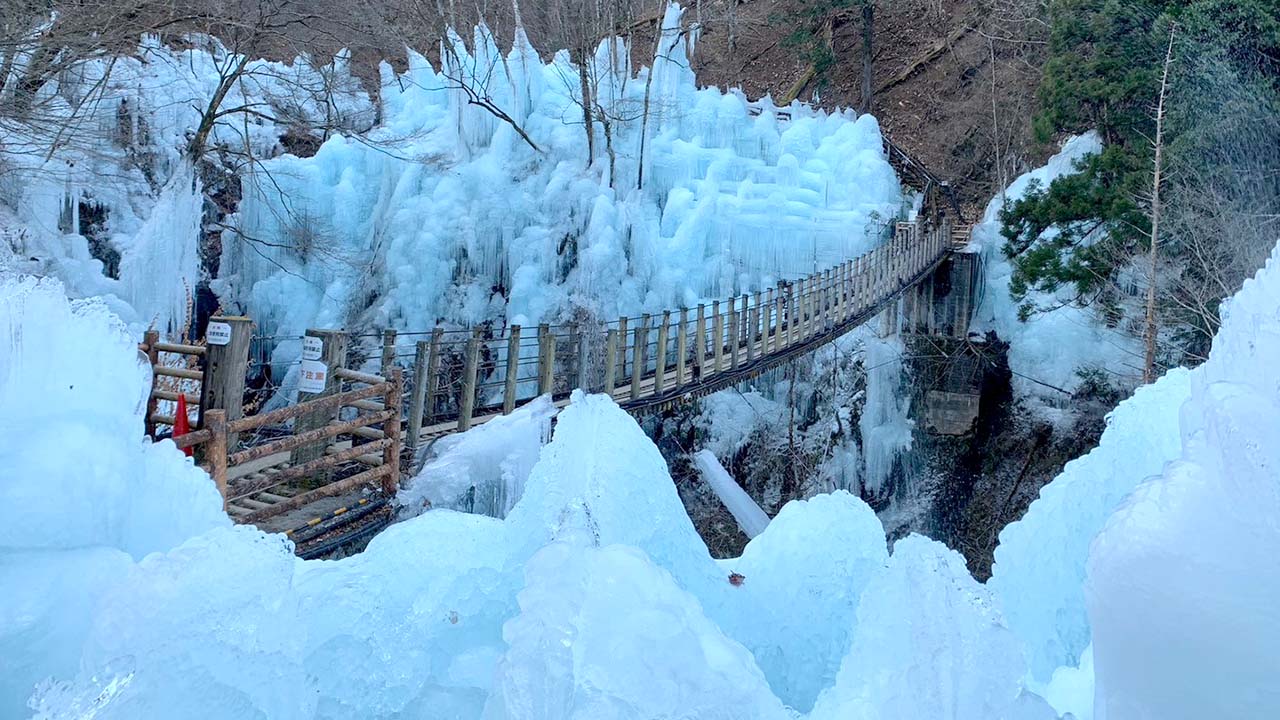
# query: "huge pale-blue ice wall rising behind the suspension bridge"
{"type": "Point", "coordinates": [446, 215]}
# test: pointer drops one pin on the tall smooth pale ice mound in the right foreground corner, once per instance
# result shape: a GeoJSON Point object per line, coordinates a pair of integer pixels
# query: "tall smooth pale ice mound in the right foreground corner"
{"type": "Point", "coordinates": [1183, 581]}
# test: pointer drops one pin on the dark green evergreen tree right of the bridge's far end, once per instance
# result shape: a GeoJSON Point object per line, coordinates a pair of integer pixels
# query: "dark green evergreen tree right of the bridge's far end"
{"type": "Point", "coordinates": [1103, 75]}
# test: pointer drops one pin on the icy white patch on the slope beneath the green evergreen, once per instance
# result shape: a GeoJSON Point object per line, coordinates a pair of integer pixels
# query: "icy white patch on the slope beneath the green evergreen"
{"type": "Point", "coordinates": [1054, 345]}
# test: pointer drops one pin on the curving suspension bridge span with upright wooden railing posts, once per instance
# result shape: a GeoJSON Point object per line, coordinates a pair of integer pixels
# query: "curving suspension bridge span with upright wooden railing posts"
{"type": "Point", "coordinates": [461, 379]}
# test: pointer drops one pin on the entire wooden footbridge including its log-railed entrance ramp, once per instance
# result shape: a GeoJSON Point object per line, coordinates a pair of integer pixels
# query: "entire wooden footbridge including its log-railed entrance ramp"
{"type": "Point", "coordinates": [322, 457]}
